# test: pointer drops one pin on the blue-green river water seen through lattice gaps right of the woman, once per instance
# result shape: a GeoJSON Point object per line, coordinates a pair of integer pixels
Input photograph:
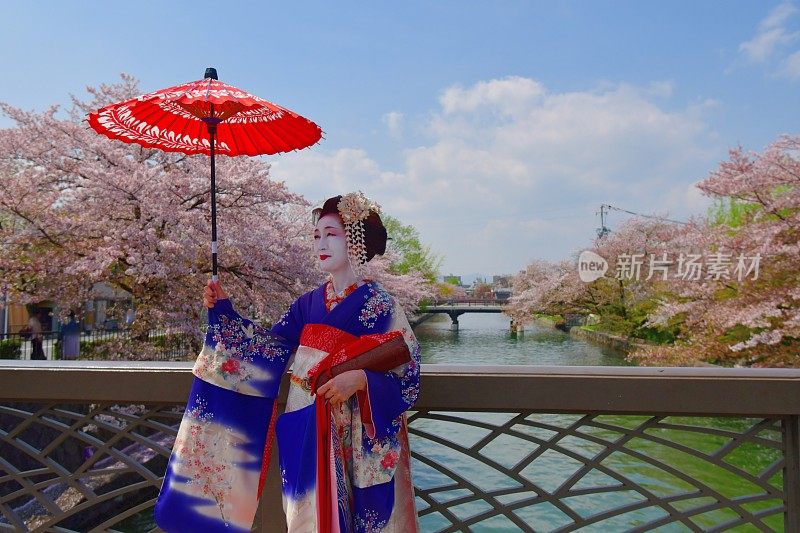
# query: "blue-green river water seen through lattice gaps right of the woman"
{"type": "Point", "coordinates": [649, 461]}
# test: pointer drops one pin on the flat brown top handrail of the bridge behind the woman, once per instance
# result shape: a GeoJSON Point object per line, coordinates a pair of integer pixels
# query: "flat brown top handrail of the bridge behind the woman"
{"type": "Point", "coordinates": [689, 390]}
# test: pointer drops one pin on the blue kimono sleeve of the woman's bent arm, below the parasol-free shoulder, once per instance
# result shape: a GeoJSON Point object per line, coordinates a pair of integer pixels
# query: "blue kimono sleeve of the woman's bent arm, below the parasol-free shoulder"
{"type": "Point", "coordinates": [390, 394]}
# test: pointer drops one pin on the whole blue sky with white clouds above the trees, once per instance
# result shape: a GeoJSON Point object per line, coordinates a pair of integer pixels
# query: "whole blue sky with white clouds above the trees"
{"type": "Point", "coordinates": [497, 129]}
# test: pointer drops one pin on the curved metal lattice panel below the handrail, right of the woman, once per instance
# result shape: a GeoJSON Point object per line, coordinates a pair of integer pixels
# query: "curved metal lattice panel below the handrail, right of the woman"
{"type": "Point", "coordinates": [546, 472]}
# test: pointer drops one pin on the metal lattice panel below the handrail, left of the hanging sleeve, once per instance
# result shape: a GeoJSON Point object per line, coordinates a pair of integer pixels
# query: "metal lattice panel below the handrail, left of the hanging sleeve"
{"type": "Point", "coordinates": [82, 467]}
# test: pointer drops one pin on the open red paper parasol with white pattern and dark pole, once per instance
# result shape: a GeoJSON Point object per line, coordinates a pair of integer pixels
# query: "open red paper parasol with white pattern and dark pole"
{"type": "Point", "coordinates": [206, 117]}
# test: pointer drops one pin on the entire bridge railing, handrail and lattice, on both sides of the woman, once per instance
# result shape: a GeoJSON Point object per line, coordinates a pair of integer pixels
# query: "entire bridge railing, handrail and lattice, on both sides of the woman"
{"type": "Point", "coordinates": [83, 446]}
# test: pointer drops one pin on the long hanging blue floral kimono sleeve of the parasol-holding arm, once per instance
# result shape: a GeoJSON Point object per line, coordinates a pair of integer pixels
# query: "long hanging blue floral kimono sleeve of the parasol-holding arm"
{"type": "Point", "coordinates": [212, 482]}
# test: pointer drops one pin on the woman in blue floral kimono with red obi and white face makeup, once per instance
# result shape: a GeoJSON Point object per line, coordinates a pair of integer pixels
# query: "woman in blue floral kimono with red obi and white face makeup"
{"type": "Point", "coordinates": [343, 441]}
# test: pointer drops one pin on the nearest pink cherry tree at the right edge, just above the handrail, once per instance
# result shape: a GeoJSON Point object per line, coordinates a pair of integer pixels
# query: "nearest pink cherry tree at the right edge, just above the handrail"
{"type": "Point", "coordinates": [739, 314]}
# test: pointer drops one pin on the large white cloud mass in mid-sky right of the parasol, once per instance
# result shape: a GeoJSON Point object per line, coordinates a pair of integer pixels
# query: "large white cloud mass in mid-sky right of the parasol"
{"type": "Point", "coordinates": [511, 171]}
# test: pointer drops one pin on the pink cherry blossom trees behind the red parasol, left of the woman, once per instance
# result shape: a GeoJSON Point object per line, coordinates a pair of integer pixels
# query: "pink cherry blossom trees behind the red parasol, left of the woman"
{"type": "Point", "coordinates": [78, 208]}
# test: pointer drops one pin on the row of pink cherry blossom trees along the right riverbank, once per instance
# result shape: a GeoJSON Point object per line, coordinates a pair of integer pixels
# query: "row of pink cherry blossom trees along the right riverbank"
{"type": "Point", "coordinates": [727, 285]}
